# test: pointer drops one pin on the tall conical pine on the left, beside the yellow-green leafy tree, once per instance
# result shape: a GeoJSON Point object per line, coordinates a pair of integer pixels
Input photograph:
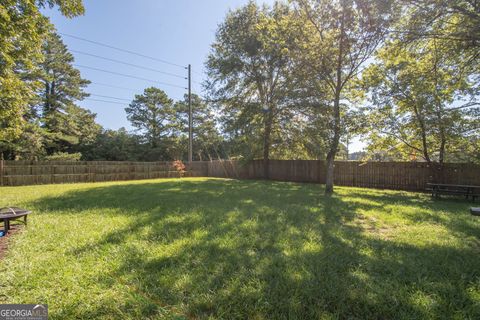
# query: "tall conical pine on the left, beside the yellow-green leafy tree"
{"type": "Point", "coordinates": [53, 123]}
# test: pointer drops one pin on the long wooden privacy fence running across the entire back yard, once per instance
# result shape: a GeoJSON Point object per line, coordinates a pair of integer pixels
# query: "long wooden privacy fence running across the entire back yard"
{"type": "Point", "coordinates": [384, 175]}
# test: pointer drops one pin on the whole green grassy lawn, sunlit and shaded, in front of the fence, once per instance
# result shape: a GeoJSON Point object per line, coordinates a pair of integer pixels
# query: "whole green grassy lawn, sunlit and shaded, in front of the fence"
{"type": "Point", "coordinates": [216, 248]}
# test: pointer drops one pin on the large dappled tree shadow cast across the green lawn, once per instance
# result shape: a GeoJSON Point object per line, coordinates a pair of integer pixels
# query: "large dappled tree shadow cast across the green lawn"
{"type": "Point", "coordinates": [269, 250]}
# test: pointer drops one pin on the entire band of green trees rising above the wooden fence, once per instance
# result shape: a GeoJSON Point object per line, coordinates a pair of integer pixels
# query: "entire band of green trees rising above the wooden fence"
{"type": "Point", "coordinates": [288, 81]}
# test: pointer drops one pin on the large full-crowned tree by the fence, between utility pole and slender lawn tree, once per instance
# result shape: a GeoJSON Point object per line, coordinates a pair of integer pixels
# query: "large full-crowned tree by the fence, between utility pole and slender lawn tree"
{"type": "Point", "coordinates": [249, 70]}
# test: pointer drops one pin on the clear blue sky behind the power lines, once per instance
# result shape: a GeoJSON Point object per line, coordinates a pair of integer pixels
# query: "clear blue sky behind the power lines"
{"type": "Point", "coordinates": [178, 31]}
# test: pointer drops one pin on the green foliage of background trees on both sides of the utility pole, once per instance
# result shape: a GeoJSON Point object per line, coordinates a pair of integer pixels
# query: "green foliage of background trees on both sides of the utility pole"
{"type": "Point", "coordinates": [163, 127]}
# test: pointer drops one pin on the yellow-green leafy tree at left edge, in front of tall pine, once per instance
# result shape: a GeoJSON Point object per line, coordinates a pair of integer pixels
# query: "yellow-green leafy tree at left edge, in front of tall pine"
{"type": "Point", "coordinates": [23, 29]}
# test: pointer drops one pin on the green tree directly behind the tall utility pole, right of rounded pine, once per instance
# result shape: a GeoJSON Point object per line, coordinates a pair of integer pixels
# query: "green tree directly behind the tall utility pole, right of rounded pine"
{"type": "Point", "coordinates": [205, 134]}
